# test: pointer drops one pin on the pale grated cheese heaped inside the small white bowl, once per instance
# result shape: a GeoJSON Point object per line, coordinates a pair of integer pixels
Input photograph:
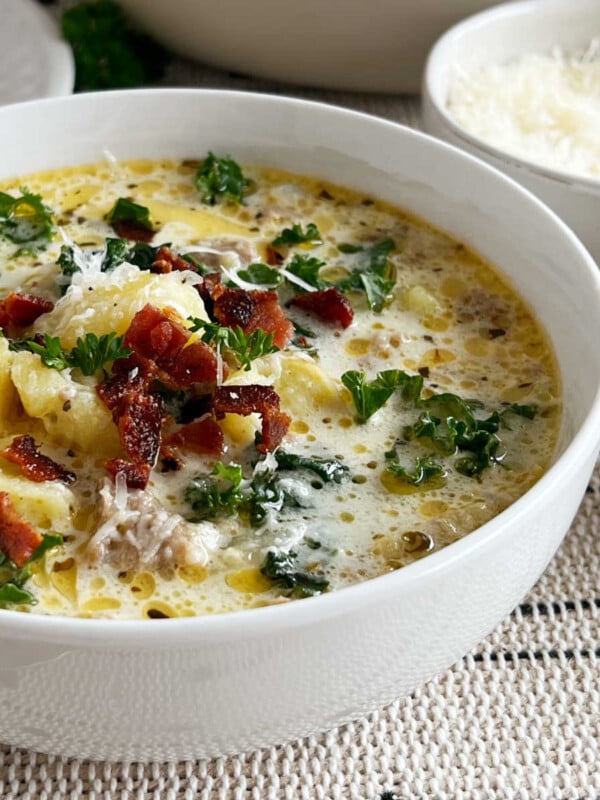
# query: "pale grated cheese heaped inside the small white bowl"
{"type": "Point", "coordinates": [542, 107]}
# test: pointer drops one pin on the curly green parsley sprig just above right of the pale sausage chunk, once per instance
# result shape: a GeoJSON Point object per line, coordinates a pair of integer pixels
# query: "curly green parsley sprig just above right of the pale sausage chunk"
{"type": "Point", "coordinates": [215, 494]}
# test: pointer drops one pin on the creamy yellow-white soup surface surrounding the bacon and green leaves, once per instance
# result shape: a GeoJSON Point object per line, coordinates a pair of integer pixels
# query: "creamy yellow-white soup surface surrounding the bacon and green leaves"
{"type": "Point", "coordinates": [449, 317]}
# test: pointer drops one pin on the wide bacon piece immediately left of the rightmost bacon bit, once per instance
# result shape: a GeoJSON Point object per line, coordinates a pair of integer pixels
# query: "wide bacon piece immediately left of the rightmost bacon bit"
{"type": "Point", "coordinates": [252, 310]}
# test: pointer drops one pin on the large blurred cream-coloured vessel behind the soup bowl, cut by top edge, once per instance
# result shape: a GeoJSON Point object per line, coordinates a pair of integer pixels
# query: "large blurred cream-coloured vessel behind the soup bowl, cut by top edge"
{"type": "Point", "coordinates": [355, 45]}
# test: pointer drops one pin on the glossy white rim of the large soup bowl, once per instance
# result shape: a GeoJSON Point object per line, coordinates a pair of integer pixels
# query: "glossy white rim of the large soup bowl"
{"type": "Point", "coordinates": [261, 622]}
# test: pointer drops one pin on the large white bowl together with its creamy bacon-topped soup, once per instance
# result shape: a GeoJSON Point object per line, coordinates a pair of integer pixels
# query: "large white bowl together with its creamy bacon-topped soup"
{"type": "Point", "coordinates": [284, 387]}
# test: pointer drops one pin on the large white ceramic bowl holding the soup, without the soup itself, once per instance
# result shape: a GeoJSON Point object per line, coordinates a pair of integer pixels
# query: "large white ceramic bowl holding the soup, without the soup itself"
{"type": "Point", "coordinates": [196, 687]}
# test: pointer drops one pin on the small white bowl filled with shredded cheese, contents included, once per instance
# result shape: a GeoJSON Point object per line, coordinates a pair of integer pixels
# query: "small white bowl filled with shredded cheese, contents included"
{"type": "Point", "coordinates": [519, 86]}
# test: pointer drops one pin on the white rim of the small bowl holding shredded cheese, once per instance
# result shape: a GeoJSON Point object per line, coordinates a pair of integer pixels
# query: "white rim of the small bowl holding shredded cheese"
{"type": "Point", "coordinates": [437, 61]}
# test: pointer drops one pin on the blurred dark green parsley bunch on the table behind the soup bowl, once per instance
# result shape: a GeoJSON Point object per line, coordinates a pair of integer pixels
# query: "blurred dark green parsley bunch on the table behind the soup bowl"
{"type": "Point", "coordinates": [108, 52]}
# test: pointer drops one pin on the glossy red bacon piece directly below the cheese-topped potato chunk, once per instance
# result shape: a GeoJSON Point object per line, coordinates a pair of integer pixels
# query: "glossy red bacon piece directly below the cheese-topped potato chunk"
{"type": "Point", "coordinates": [163, 340]}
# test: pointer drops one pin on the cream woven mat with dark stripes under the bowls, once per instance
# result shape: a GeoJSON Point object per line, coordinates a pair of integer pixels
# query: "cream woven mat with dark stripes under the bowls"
{"type": "Point", "coordinates": [519, 717]}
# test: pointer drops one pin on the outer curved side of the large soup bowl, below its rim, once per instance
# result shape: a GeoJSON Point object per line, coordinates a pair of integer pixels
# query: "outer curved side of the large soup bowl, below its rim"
{"type": "Point", "coordinates": [208, 699]}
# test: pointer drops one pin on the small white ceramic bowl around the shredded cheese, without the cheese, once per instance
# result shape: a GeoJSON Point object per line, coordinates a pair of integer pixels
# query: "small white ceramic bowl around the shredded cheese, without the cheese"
{"type": "Point", "coordinates": [496, 36]}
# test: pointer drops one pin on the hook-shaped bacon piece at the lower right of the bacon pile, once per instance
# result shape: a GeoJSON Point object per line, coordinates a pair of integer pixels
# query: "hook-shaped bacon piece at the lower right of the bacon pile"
{"type": "Point", "coordinates": [262, 400]}
